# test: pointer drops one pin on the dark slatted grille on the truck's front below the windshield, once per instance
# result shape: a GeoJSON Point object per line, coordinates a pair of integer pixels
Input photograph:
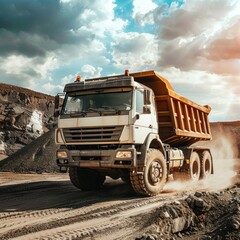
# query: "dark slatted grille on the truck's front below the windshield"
{"type": "Point", "coordinates": [95, 134]}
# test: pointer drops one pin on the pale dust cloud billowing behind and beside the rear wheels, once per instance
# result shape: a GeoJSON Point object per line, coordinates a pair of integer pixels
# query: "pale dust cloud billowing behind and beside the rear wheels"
{"type": "Point", "coordinates": [224, 155]}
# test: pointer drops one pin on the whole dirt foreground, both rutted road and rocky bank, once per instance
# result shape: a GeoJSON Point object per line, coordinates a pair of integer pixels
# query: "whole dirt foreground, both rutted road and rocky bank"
{"type": "Point", "coordinates": [48, 206]}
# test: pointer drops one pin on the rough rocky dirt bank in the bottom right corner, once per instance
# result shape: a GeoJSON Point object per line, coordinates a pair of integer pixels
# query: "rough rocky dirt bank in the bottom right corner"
{"type": "Point", "coordinates": [214, 215]}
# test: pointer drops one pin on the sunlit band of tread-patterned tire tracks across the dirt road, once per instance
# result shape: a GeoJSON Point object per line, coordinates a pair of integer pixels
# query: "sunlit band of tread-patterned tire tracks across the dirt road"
{"type": "Point", "coordinates": [63, 221]}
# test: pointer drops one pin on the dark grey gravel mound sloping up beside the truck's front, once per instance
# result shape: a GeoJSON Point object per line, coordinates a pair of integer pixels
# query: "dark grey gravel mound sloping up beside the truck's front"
{"type": "Point", "coordinates": [38, 156]}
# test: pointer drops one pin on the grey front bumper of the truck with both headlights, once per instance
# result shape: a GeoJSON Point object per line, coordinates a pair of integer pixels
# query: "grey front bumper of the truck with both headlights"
{"type": "Point", "coordinates": [96, 158]}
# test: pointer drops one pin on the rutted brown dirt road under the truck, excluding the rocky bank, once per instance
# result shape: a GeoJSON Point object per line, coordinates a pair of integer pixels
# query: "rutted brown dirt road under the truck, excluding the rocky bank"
{"type": "Point", "coordinates": [47, 206]}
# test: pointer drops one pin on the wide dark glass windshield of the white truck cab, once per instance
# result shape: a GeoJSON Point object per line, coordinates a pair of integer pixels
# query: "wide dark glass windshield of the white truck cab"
{"type": "Point", "coordinates": [106, 101]}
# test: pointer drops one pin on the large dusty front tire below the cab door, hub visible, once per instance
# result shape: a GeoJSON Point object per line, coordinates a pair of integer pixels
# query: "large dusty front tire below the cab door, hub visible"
{"type": "Point", "coordinates": [154, 176]}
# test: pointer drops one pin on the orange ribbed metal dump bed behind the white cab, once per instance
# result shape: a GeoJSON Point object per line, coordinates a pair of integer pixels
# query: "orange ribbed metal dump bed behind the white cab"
{"type": "Point", "coordinates": [181, 121]}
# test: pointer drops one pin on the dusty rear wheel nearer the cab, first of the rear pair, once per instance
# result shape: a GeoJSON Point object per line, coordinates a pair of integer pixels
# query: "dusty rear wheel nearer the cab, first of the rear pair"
{"type": "Point", "coordinates": [194, 167]}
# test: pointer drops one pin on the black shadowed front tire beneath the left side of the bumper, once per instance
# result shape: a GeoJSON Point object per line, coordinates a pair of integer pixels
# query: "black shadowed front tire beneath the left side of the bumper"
{"type": "Point", "coordinates": [86, 179]}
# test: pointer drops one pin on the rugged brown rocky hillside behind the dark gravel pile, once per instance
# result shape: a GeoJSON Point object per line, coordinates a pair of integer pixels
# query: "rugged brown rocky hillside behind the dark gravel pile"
{"type": "Point", "coordinates": [24, 116]}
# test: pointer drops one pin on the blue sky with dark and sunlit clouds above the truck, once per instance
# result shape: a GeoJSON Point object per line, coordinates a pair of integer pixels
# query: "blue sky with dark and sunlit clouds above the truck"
{"type": "Point", "coordinates": [195, 44]}
